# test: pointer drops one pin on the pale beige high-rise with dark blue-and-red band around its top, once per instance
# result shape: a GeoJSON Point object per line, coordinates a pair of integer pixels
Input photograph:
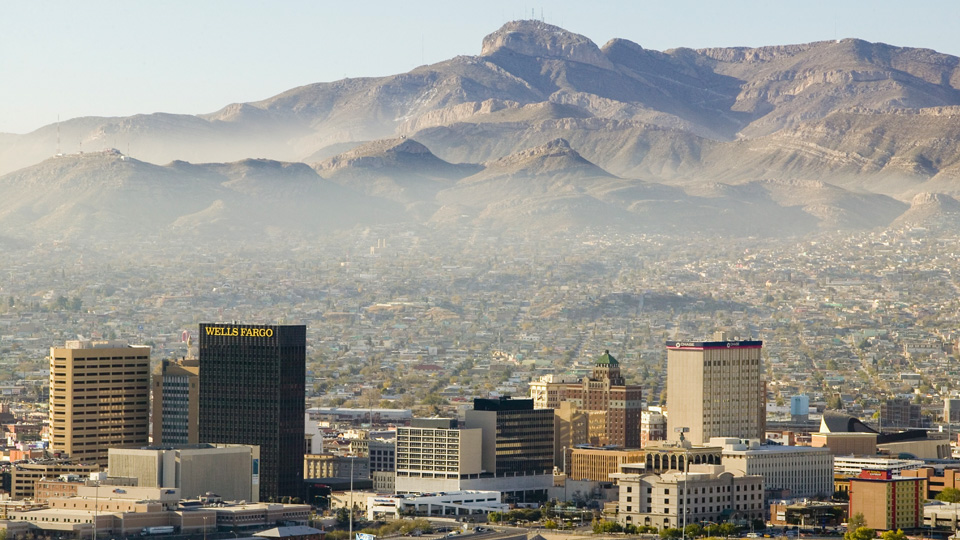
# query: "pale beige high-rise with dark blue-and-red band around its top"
{"type": "Point", "coordinates": [714, 389]}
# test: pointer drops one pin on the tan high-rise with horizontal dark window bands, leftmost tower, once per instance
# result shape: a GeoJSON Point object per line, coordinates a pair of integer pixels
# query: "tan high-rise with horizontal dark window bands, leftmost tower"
{"type": "Point", "coordinates": [99, 398]}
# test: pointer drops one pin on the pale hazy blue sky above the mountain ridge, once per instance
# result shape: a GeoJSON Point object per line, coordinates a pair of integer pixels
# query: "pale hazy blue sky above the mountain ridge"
{"type": "Point", "coordinates": [116, 58]}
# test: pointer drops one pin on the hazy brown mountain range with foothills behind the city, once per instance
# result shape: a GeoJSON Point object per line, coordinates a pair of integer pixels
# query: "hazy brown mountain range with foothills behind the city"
{"type": "Point", "coordinates": [544, 130]}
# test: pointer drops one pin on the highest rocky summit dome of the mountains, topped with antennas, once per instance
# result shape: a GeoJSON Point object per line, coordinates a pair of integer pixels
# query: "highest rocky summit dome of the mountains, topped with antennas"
{"type": "Point", "coordinates": [542, 40]}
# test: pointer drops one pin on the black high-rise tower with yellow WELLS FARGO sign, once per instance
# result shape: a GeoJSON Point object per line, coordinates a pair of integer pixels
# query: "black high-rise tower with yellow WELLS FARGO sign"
{"type": "Point", "coordinates": [252, 392]}
